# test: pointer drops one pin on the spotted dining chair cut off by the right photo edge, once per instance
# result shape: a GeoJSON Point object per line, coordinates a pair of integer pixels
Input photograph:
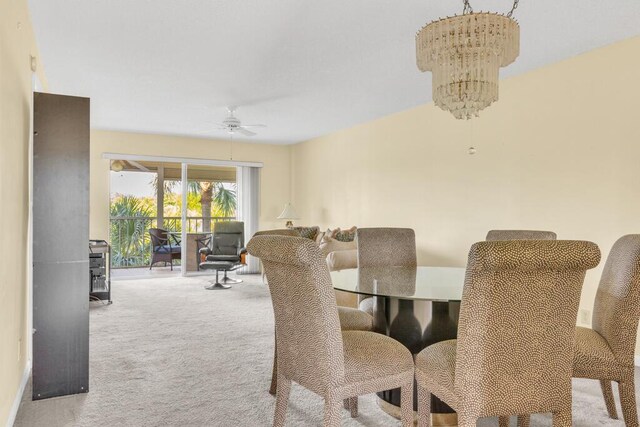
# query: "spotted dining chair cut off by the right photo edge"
{"type": "Point", "coordinates": [606, 352]}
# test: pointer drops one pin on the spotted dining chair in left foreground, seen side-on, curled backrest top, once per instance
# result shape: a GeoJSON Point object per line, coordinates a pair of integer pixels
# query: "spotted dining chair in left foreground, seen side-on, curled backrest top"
{"type": "Point", "coordinates": [312, 350]}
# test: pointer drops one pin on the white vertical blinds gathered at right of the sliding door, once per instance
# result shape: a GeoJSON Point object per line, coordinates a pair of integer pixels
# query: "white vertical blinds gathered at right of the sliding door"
{"type": "Point", "coordinates": [248, 183]}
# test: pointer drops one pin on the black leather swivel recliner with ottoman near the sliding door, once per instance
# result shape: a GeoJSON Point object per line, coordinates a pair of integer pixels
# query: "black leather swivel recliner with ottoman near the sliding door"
{"type": "Point", "coordinates": [225, 253]}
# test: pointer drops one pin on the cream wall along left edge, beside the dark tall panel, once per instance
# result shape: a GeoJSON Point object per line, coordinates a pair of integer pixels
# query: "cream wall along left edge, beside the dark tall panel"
{"type": "Point", "coordinates": [17, 44]}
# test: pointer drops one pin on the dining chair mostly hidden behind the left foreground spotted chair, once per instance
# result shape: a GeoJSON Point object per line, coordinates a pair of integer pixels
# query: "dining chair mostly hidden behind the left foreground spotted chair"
{"type": "Point", "coordinates": [351, 319]}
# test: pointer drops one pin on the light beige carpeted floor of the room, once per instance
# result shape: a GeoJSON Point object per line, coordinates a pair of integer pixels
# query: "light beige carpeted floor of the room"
{"type": "Point", "coordinates": [169, 353]}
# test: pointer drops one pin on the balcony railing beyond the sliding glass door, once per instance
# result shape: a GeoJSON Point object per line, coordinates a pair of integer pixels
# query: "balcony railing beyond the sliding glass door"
{"type": "Point", "coordinates": [130, 240]}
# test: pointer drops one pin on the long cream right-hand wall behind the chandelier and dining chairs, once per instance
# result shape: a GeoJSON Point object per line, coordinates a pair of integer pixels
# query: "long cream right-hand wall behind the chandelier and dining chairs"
{"type": "Point", "coordinates": [559, 151]}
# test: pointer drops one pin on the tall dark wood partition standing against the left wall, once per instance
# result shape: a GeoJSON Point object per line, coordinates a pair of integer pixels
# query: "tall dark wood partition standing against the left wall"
{"type": "Point", "coordinates": [60, 245]}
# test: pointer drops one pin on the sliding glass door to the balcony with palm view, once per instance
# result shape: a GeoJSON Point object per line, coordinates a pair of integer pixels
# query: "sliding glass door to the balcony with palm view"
{"type": "Point", "coordinates": [184, 200]}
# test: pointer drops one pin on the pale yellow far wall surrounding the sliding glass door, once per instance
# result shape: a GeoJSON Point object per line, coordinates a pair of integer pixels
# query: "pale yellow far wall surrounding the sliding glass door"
{"type": "Point", "coordinates": [275, 175]}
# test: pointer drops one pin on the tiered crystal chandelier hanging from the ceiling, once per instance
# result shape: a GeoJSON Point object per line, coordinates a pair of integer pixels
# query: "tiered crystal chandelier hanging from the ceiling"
{"type": "Point", "coordinates": [465, 53]}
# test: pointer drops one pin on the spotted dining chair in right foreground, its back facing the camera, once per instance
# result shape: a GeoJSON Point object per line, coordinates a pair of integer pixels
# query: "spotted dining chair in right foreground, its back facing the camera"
{"type": "Point", "coordinates": [514, 349]}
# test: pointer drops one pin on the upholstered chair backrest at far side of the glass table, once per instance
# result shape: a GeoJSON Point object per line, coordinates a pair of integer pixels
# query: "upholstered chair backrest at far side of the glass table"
{"type": "Point", "coordinates": [386, 247]}
